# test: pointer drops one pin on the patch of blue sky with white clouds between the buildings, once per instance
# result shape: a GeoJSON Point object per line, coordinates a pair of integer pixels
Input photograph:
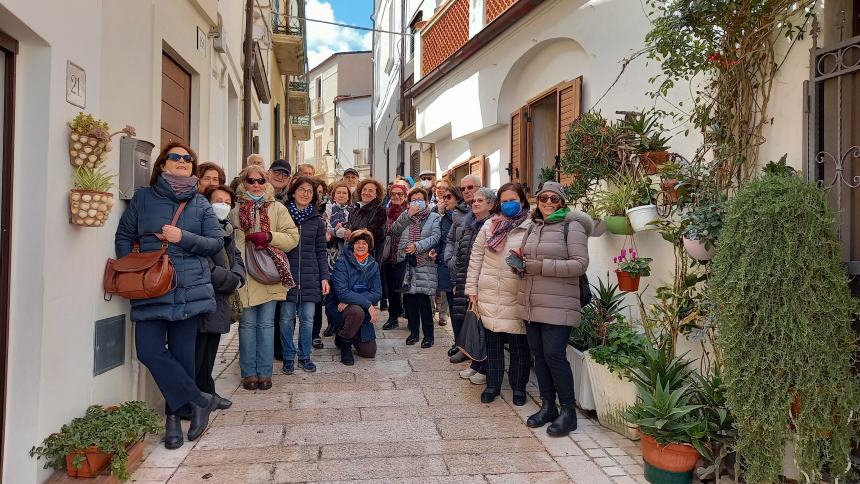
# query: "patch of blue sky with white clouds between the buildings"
{"type": "Point", "coordinates": [324, 40]}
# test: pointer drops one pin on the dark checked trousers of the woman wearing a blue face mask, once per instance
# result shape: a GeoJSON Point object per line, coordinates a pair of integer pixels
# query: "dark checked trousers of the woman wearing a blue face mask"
{"type": "Point", "coordinates": [518, 370]}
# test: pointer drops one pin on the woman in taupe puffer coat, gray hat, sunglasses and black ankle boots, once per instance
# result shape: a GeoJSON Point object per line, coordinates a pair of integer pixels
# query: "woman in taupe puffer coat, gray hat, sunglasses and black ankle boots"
{"type": "Point", "coordinates": [555, 254]}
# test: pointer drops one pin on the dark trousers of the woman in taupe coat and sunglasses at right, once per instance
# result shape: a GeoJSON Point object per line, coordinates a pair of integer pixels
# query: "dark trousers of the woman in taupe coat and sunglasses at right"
{"type": "Point", "coordinates": [548, 344]}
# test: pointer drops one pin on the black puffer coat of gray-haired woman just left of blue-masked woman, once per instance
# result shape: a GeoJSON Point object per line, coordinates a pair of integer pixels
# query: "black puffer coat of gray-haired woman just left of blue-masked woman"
{"type": "Point", "coordinates": [461, 238]}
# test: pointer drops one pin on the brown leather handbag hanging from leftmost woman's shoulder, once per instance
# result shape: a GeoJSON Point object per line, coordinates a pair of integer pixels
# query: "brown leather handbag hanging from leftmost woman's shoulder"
{"type": "Point", "coordinates": [142, 275]}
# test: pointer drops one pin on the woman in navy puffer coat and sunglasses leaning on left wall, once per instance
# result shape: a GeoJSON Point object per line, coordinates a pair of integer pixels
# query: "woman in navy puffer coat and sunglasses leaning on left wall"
{"type": "Point", "coordinates": [174, 317]}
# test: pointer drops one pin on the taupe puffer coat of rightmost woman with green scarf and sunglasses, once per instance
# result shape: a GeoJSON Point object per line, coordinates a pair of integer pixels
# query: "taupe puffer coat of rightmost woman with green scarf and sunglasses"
{"type": "Point", "coordinates": [552, 297]}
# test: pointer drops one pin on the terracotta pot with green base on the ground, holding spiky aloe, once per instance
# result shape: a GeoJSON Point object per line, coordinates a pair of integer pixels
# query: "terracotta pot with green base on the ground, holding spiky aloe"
{"type": "Point", "coordinates": [668, 463]}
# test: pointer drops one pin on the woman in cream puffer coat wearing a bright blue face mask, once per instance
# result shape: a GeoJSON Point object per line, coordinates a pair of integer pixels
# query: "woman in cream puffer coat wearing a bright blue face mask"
{"type": "Point", "coordinates": [492, 289]}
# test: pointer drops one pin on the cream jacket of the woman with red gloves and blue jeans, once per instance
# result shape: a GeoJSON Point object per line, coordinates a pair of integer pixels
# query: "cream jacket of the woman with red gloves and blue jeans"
{"type": "Point", "coordinates": [285, 236]}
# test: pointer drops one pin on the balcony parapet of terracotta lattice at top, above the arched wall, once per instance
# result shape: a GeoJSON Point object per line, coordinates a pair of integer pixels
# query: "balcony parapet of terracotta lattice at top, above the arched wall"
{"type": "Point", "coordinates": [450, 28]}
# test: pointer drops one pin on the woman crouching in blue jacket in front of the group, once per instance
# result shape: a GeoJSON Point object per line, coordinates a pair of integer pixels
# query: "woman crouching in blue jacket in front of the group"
{"type": "Point", "coordinates": [356, 288]}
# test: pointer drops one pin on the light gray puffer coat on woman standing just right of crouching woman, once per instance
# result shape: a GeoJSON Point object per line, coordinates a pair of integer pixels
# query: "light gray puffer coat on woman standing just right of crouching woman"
{"type": "Point", "coordinates": [422, 279]}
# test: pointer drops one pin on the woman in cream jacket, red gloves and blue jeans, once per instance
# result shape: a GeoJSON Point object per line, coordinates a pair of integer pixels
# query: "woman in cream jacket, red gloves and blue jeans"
{"type": "Point", "coordinates": [266, 225]}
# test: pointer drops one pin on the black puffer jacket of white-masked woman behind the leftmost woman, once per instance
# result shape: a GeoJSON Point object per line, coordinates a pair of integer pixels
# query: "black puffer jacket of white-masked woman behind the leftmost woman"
{"type": "Point", "coordinates": [228, 274]}
